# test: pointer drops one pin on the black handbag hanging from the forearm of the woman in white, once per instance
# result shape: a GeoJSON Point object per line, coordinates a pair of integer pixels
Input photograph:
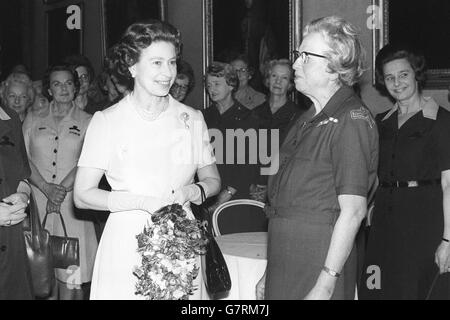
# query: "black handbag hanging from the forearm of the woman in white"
{"type": "Point", "coordinates": [215, 271]}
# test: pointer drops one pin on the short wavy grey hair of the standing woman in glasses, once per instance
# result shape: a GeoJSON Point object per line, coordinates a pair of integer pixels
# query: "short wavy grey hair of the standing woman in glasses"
{"type": "Point", "coordinates": [347, 55]}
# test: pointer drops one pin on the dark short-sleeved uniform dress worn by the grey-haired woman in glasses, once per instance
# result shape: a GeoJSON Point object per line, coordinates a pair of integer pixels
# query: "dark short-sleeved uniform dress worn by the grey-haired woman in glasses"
{"type": "Point", "coordinates": [333, 153]}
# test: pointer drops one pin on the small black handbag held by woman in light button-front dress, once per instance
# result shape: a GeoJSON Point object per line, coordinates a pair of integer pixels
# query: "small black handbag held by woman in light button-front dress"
{"type": "Point", "coordinates": [66, 250]}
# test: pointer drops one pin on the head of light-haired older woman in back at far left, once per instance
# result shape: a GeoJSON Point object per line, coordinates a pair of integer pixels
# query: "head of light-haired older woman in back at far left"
{"type": "Point", "coordinates": [17, 93]}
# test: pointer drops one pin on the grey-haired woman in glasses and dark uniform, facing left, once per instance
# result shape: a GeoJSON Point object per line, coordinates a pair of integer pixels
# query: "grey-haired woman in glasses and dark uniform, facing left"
{"type": "Point", "coordinates": [328, 162]}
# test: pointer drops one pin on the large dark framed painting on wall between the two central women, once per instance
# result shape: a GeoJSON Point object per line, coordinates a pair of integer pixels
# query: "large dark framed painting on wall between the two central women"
{"type": "Point", "coordinates": [260, 29]}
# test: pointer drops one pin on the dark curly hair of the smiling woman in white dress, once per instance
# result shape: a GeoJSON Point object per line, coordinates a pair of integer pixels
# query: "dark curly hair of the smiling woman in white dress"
{"type": "Point", "coordinates": [136, 38]}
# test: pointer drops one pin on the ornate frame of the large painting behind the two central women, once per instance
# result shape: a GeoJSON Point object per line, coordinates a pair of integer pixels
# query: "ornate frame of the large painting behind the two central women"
{"type": "Point", "coordinates": [294, 24]}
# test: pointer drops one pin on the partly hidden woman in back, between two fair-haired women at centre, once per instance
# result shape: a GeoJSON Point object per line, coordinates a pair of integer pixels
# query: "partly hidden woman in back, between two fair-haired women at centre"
{"type": "Point", "coordinates": [246, 95]}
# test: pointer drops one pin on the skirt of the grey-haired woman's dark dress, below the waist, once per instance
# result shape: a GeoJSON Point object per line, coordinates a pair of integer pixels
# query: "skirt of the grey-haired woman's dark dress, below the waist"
{"type": "Point", "coordinates": [297, 250]}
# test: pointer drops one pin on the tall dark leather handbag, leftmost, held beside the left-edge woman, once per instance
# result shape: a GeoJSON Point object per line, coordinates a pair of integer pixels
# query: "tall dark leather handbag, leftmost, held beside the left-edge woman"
{"type": "Point", "coordinates": [39, 251]}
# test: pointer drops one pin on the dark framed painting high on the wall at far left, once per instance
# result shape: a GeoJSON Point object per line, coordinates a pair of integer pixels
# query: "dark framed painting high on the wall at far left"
{"type": "Point", "coordinates": [64, 32]}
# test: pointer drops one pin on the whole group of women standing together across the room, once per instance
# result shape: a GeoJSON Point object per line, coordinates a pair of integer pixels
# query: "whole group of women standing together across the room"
{"type": "Point", "coordinates": [88, 146]}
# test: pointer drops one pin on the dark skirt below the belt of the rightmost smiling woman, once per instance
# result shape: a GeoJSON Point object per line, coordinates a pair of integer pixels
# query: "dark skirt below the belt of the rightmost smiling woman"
{"type": "Point", "coordinates": [406, 230]}
